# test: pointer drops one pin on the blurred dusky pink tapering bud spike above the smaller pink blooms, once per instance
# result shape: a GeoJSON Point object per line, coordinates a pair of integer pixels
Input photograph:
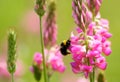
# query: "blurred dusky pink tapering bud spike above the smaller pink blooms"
{"type": "Point", "coordinates": [50, 26]}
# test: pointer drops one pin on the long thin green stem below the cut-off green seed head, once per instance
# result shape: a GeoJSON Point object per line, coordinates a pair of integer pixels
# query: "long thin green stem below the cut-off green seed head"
{"type": "Point", "coordinates": [42, 49]}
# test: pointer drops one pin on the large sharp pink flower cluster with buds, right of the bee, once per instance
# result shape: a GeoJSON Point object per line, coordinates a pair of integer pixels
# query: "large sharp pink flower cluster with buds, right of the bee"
{"type": "Point", "coordinates": [92, 38]}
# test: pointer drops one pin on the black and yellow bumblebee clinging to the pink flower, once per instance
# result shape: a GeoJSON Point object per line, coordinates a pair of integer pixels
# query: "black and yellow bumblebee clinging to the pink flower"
{"type": "Point", "coordinates": [64, 46]}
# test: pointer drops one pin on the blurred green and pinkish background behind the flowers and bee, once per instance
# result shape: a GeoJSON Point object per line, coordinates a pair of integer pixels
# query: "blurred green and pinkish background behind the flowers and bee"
{"type": "Point", "coordinates": [19, 14]}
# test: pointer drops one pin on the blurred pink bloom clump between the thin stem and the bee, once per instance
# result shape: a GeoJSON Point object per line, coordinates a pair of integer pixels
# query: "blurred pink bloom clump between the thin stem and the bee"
{"type": "Point", "coordinates": [55, 59]}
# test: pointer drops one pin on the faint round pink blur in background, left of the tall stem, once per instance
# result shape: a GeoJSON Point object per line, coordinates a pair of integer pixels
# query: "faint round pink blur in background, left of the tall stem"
{"type": "Point", "coordinates": [30, 22]}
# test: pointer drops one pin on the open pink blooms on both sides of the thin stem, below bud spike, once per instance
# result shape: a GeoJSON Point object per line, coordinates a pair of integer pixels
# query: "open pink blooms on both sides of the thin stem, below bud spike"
{"type": "Point", "coordinates": [53, 59]}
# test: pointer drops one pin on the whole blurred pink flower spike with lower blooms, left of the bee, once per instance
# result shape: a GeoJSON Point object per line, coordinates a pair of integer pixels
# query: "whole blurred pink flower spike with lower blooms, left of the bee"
{"type": "Point", "coordinates": [53, 57]}
